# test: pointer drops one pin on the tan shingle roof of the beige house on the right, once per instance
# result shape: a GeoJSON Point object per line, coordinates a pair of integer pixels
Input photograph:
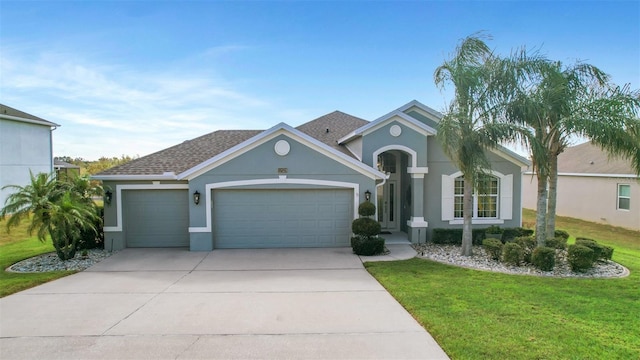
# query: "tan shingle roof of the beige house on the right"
{"type": "Point", "coordinates": [589, 159]}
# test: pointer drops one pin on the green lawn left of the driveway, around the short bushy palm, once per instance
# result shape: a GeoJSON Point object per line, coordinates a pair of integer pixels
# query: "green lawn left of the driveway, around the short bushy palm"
{"type": "Point", "coordinates": [16, 246]}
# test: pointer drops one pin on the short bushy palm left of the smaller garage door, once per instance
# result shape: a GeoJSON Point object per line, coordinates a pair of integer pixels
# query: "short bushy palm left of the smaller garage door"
{"type": "Point", "coordinates": [57, 209]}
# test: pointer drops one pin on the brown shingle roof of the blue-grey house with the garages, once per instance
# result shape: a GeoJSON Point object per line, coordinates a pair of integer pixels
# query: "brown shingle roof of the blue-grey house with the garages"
{"type": "Point", "coordinates": [190, 153]}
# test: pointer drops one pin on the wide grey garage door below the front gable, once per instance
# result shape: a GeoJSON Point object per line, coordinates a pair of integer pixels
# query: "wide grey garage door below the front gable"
{"type": "Point", "coordinates": [282, 218]}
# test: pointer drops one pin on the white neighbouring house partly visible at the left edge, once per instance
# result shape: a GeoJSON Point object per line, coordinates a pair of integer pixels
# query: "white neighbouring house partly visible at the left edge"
{"type": "Point", "coordinates": [25, 145]}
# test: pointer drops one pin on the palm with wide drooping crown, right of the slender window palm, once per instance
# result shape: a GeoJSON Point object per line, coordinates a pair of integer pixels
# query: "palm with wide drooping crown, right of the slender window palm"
{"type": "Point", "coordinates": [561, 103]}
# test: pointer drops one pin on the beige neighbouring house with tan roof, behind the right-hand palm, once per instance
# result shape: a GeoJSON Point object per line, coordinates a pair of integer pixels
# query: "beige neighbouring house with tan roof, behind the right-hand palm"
{"type": "Point", "coordinates": [593, 187]}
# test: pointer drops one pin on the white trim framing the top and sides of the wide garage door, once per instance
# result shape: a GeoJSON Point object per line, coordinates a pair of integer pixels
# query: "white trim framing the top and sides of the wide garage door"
{"type": "Point", "coordinates": [282, 180]}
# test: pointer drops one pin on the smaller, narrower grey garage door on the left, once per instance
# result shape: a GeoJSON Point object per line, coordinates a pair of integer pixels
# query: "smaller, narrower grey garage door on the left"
{"type": "Point", "coordinates": [156, 218]}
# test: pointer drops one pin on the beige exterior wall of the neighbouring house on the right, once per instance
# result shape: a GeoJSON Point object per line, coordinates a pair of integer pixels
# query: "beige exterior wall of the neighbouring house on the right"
{"type": "Point", "coordinates": [589, 198]}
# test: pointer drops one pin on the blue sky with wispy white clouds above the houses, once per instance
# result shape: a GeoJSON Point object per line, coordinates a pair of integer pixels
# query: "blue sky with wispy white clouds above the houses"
{"type": "Point", "coordinates": [136, 77]}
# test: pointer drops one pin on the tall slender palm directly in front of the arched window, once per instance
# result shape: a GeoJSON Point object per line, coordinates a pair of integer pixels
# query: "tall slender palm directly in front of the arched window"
{"type": "Point", "coordinates": [465, 131]}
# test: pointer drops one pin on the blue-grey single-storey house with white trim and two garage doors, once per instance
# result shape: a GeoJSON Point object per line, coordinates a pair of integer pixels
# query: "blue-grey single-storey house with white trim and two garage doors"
{"type": "Point", "coordinates": [301, 187]}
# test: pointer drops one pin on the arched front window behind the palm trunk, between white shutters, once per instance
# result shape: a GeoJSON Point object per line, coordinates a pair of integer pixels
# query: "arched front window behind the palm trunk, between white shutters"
{"type": "Point", "coordinates": [485, 198]}
